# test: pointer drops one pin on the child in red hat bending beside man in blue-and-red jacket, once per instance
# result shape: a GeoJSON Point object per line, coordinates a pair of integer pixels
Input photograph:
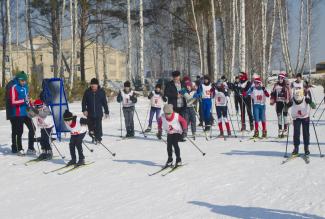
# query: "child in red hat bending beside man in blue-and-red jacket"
{"type": "Point", "coordinates": [44, 120]}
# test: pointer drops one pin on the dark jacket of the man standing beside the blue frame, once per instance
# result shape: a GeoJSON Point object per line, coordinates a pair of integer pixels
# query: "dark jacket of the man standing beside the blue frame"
{"type": "Point", "coordinates": [94, 102]}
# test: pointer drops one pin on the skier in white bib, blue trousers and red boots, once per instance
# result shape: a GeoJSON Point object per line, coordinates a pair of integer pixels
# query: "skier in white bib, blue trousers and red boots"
{"type": "Point", "coordinates": [259, 94]}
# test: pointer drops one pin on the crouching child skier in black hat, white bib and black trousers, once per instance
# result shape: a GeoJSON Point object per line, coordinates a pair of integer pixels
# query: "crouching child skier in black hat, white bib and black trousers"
{"type": "Point", "coordinates": [78, 129]}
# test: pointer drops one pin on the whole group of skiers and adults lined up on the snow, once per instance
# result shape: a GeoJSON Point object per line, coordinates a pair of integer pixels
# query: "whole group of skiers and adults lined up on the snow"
{"type": "Point", "coordinates": [186, 101]}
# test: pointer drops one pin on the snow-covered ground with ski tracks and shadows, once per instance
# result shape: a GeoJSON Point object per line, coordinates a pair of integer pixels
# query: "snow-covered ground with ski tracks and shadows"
{"type": "Point", "coordinates": [234, 180]}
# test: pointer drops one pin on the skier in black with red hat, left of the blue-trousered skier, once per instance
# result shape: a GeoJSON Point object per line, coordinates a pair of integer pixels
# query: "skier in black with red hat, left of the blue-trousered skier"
{"type": "Point", "coordinates": [245, 101]}
